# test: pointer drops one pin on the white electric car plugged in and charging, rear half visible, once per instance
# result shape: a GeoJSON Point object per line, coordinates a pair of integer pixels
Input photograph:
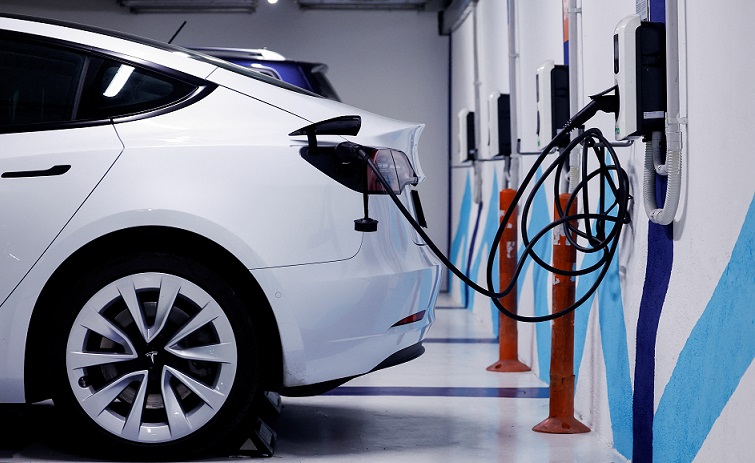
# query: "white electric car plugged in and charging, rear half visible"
{"type": "Point", "coordinates": [180, 235]}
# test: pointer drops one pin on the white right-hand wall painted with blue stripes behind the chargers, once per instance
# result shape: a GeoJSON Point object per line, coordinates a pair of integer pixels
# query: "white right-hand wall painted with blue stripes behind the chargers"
{"type": "Point", "coordinates": [663, 375]}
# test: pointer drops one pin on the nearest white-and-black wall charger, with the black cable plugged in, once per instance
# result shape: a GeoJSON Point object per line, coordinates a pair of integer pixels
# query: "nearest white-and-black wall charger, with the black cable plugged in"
{"type": "Point", "coordinates": [639, 67]}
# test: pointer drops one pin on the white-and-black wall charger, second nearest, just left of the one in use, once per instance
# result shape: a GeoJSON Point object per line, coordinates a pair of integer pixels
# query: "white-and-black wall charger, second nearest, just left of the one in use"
{"type": "Point", "coordinates": [552, 93]}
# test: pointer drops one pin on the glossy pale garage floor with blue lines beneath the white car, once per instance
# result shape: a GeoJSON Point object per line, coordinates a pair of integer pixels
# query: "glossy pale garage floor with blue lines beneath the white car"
{"type": "Point", "coordinates": [441, 407]}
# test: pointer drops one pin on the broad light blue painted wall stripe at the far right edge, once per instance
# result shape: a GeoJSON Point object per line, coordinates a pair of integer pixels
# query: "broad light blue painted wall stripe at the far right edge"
{"type": "Point", "coordinates": [718, 352]}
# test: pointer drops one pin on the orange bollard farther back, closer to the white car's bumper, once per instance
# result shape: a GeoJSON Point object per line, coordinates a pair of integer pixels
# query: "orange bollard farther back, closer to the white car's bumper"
{"type": "Point", "coordinates": [507, 255]}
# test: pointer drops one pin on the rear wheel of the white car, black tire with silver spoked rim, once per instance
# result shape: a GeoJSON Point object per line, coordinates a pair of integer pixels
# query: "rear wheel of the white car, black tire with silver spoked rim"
{"type": "Point", "coordinates": [155, 355]}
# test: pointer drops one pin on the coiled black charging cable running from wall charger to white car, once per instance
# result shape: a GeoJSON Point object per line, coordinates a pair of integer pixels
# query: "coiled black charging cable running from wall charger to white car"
{"type": "Point", "coordinates": [615, 213]}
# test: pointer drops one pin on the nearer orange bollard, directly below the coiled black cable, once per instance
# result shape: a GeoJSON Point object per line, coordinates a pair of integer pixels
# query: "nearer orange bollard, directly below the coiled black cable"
{"type": "Point", "coordinates": [561, 405]}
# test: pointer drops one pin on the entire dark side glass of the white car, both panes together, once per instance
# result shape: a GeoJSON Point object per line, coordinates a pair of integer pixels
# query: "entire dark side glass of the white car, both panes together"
{"type": "Point", "coordinates": [46, 85]}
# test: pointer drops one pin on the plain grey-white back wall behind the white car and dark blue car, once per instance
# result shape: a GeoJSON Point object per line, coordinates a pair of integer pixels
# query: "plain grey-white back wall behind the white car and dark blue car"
{"type": "Point", "coordinates": [393, 63]}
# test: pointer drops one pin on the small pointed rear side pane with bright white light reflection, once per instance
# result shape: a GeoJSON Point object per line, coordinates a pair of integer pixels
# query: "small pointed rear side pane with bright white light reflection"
{"type": "Point", "coordinates": [114, 89]}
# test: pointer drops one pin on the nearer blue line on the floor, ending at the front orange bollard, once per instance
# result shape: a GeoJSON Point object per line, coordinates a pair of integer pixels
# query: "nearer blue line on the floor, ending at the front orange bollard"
{"type": "Point", "coordinates": [409, 391]}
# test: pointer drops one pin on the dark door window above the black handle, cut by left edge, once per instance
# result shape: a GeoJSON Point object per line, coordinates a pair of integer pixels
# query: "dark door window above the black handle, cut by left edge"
{"type": "Point", "coordinates": [38, 83]}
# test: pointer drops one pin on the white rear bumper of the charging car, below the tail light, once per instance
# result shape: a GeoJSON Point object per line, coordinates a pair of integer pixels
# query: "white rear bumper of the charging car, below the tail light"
{"type": "Point", "coordinates": [352, 324]}
